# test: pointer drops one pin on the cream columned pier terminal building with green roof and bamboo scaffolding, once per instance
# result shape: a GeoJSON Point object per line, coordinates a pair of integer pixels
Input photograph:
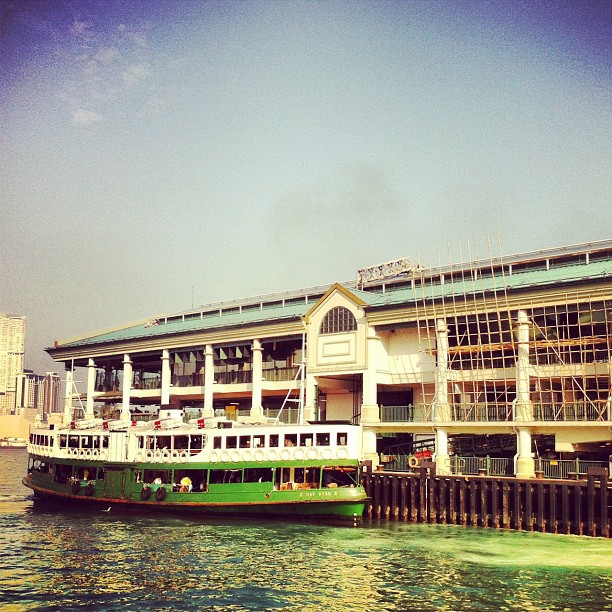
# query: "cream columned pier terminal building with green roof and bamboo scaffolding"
{"type": "Point", "coordinates": [509, 354]}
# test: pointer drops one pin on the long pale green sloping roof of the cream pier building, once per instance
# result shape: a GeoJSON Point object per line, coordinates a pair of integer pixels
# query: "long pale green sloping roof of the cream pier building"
{"type": "Point", "coordinates": [562, 266]}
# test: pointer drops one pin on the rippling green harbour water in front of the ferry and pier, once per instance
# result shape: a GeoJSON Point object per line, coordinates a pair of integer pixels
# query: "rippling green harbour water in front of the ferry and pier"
{"type": "Point", "coordinates": [72, 559]}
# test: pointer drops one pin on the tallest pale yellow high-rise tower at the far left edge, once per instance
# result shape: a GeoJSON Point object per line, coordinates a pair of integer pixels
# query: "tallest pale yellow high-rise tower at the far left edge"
{"type": "Point", "coordinates": [12, 354]}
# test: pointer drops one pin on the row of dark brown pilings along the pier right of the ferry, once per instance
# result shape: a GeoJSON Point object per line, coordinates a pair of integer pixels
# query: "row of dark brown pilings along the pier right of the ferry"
{"type": "Point", "coordinates": [579, 507]}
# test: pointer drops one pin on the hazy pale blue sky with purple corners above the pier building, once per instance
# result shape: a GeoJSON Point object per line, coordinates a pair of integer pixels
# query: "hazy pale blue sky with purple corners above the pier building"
{"type": "Point", "coordinates": [160, 155]}
